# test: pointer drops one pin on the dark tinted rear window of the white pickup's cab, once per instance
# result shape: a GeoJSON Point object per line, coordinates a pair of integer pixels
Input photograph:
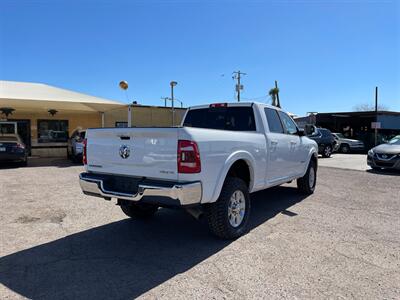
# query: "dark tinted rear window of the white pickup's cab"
{"type": "Point", "coordinates": [239, 118]}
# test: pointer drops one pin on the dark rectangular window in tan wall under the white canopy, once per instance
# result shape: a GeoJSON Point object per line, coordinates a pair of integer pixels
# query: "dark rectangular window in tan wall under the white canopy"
{"type": "Point", "coordinates": [52, 131]}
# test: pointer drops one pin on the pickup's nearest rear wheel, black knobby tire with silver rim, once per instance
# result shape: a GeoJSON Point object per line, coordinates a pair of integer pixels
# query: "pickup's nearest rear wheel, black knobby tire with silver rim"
{"type": "Point", "coordinates": [228, 216]}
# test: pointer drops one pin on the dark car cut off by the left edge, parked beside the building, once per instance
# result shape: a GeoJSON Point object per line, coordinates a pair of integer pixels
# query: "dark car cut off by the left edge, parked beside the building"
{"type": "Point", "coordinates": [12, 149]}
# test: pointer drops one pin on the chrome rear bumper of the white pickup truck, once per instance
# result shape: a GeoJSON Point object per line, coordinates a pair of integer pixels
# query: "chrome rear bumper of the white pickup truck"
{"type": "Point", "coordinates": [155, 192]}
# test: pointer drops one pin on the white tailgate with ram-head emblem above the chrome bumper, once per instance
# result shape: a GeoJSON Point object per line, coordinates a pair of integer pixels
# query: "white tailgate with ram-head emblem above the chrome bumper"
{"type": "Point", "coordinates": [143, 152]}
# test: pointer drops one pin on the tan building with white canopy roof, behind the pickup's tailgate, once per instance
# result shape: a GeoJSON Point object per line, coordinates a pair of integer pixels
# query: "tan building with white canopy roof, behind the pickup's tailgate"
{"type": "Point", "coordinates": [47, 116]}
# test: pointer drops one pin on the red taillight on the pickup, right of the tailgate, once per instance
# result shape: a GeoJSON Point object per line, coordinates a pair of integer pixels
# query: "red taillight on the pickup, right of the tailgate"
{"type": "Point", "coordinates": [188, 157]}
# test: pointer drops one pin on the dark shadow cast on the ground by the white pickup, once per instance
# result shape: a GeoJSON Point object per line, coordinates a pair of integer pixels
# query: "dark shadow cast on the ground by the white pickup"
{"type": "Point", "coordinates": [126, 258]}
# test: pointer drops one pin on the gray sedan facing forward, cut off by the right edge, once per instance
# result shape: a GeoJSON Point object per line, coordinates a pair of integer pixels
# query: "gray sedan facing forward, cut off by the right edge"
{"type": "Point", "coordinates": [385, 156]}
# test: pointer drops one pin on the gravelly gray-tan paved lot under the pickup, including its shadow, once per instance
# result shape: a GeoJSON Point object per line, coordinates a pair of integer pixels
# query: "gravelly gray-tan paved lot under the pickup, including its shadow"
{"type": "Point", "coordinates": [341, 242]}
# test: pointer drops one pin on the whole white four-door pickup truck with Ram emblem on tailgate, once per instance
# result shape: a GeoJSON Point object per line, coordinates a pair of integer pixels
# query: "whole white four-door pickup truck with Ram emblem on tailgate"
{"type": "Point", "coordinates": [209, 165]}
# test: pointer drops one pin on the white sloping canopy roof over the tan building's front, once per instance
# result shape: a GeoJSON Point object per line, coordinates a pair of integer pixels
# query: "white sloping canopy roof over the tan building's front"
{"type": "Point", "coordinates": [30, 97]}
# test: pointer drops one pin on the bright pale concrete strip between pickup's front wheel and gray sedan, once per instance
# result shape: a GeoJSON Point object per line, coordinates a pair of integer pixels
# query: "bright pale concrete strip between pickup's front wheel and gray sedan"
{"type": "Point", "coordinates": [346, 161]}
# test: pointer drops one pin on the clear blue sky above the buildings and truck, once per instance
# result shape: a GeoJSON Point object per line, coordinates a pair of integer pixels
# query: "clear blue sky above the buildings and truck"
{"type": "Point", "coordinates": [326, 55]}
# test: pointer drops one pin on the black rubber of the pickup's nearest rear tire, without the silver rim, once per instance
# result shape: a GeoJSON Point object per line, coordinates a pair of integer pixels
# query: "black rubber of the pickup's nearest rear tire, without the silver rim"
{"type": "Point", "coordinates": [217, 213]}
